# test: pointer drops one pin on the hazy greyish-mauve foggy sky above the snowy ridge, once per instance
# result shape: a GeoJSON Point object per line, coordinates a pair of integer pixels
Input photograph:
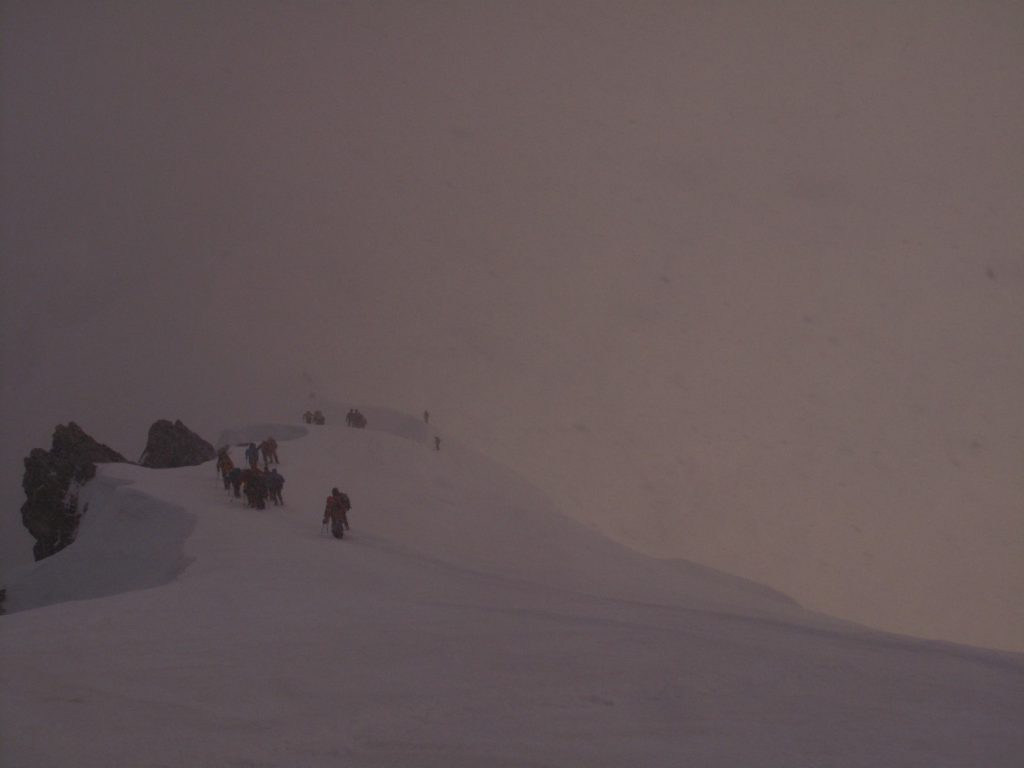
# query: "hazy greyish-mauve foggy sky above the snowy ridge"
{"type": "Point", "coordinates": [735, 282]}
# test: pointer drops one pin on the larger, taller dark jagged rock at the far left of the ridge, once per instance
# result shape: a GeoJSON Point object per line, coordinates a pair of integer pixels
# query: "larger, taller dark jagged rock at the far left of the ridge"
{"type": "Point", "coordinates": [52, 483]}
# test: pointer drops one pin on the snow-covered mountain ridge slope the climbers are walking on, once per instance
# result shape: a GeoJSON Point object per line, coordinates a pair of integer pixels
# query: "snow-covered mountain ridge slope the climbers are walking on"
{"type": "Point", "coordinates": [464, 622]}
